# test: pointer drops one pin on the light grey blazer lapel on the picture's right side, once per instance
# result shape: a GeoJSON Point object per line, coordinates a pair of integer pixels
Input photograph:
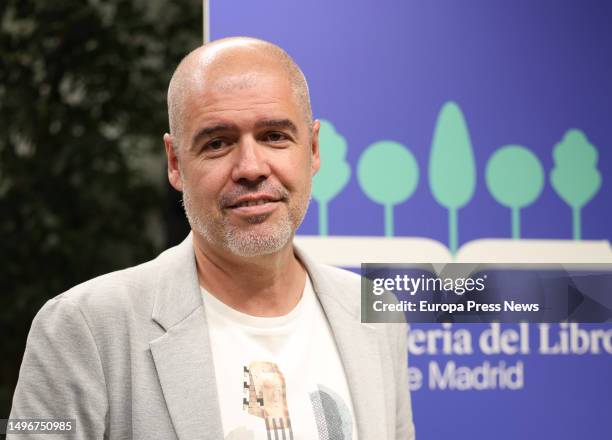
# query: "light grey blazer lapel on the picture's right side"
{"type": "Point", "coordinates": [359, 350]}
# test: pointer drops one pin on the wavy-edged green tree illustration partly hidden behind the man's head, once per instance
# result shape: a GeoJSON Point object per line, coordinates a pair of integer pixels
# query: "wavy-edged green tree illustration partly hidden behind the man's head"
{"type": "Point", "coordinates": [334, 173]}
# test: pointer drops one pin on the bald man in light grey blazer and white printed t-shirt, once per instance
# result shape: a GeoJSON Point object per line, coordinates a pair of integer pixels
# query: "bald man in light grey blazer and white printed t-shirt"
{"type": "Point", "coordinates": [235, 333]}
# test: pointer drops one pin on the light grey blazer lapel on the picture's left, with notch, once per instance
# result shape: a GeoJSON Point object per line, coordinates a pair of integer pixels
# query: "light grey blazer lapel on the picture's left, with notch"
{"type": "Point", "coordinates": [182, 356]}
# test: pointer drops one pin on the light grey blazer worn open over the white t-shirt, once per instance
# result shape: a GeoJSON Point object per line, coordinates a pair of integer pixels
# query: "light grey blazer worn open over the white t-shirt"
{"type": "Point", "coordinates": [127, 355]}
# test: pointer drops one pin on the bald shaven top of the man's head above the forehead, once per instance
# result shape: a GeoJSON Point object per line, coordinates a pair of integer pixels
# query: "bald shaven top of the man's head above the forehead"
{"type": "Point", "coordinates": [224, 60]}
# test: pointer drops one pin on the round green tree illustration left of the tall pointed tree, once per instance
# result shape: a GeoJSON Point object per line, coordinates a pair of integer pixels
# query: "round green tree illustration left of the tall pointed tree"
{"type": "Point", "coordinates": [388, 174]}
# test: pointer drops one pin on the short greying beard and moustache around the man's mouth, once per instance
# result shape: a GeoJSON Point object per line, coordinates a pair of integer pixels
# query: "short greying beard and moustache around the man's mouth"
{"type": "Point", "coordinates": [261, 236]}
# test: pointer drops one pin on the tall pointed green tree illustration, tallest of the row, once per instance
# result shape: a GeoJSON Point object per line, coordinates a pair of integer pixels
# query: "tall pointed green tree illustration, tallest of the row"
{"type": "Point", "coordinates": [452, 168]}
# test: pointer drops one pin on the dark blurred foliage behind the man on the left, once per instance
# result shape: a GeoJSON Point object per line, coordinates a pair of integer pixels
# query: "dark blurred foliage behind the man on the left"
{"type": "Point", "coordinates": [82, 111]}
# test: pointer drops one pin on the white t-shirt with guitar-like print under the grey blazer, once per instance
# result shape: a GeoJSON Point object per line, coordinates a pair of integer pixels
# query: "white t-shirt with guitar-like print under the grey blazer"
{"type": "Point", "coordinates": [279, 378]}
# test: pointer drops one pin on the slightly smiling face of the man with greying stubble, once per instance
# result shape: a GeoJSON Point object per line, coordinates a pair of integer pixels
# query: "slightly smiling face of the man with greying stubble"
{"type": "Point", "coordinates": [246, 162]}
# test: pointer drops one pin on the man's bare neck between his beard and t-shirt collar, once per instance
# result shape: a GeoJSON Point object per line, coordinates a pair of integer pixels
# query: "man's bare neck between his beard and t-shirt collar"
{"type": "Point", "coordinates": [265, 285]}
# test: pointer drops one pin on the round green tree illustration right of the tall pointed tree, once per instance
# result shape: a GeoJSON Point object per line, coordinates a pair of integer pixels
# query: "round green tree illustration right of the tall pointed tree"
{"type": "Point", "coordinates": [515, 179]}
